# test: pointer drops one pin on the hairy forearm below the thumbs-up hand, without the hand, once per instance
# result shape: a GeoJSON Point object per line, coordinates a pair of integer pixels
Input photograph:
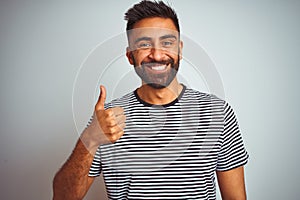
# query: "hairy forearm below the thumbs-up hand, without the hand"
{"type": "Point", "coordinates": [72, 181]}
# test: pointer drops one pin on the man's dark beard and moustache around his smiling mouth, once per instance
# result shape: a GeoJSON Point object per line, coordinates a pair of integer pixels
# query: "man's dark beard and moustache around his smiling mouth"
{"type": "Point", "coordinates": [157, 80]}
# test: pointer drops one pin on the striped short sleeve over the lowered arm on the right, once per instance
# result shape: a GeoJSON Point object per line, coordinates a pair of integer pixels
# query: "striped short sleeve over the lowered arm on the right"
{"type": "Point", "coordinates": [233, 153]}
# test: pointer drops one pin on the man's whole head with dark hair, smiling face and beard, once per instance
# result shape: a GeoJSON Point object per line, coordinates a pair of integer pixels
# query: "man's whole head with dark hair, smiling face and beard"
{"type": "Point", "coordinates": [154, 42]}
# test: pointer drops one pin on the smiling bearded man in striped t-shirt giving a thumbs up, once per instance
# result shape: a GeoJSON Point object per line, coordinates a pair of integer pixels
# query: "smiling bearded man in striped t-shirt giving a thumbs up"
{"type": "Point", "coordinates": [164, 140]}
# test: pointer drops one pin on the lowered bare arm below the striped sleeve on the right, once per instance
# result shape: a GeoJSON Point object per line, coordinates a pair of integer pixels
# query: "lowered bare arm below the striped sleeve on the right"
{"type": "Point", "coordinates": [232, 184]}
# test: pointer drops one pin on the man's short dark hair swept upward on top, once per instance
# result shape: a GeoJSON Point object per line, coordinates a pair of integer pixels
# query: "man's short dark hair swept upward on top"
{"type": "Point", "coordinates": [149, 9]}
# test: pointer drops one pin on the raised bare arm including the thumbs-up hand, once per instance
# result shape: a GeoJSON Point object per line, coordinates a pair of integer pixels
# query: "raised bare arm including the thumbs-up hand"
{"type": "Point", "coordinates": [72, 180]}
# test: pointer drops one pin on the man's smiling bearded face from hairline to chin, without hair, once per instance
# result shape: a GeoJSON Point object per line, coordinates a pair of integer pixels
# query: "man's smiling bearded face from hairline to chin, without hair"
{"type": "Point", "coordinates": [155, 51]}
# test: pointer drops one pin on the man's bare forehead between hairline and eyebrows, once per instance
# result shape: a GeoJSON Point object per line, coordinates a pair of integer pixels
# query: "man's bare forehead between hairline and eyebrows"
{"type": "Point", "coordinates": [155, 27]}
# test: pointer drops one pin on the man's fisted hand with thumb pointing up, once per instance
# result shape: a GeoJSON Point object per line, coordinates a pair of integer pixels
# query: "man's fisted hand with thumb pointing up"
{"type": "Point", "coordinates": [111, 121]}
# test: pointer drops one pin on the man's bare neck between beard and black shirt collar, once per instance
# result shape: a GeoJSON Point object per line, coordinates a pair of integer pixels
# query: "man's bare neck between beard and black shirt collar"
{"type": "Point", "coordinates": [160, 96]}
